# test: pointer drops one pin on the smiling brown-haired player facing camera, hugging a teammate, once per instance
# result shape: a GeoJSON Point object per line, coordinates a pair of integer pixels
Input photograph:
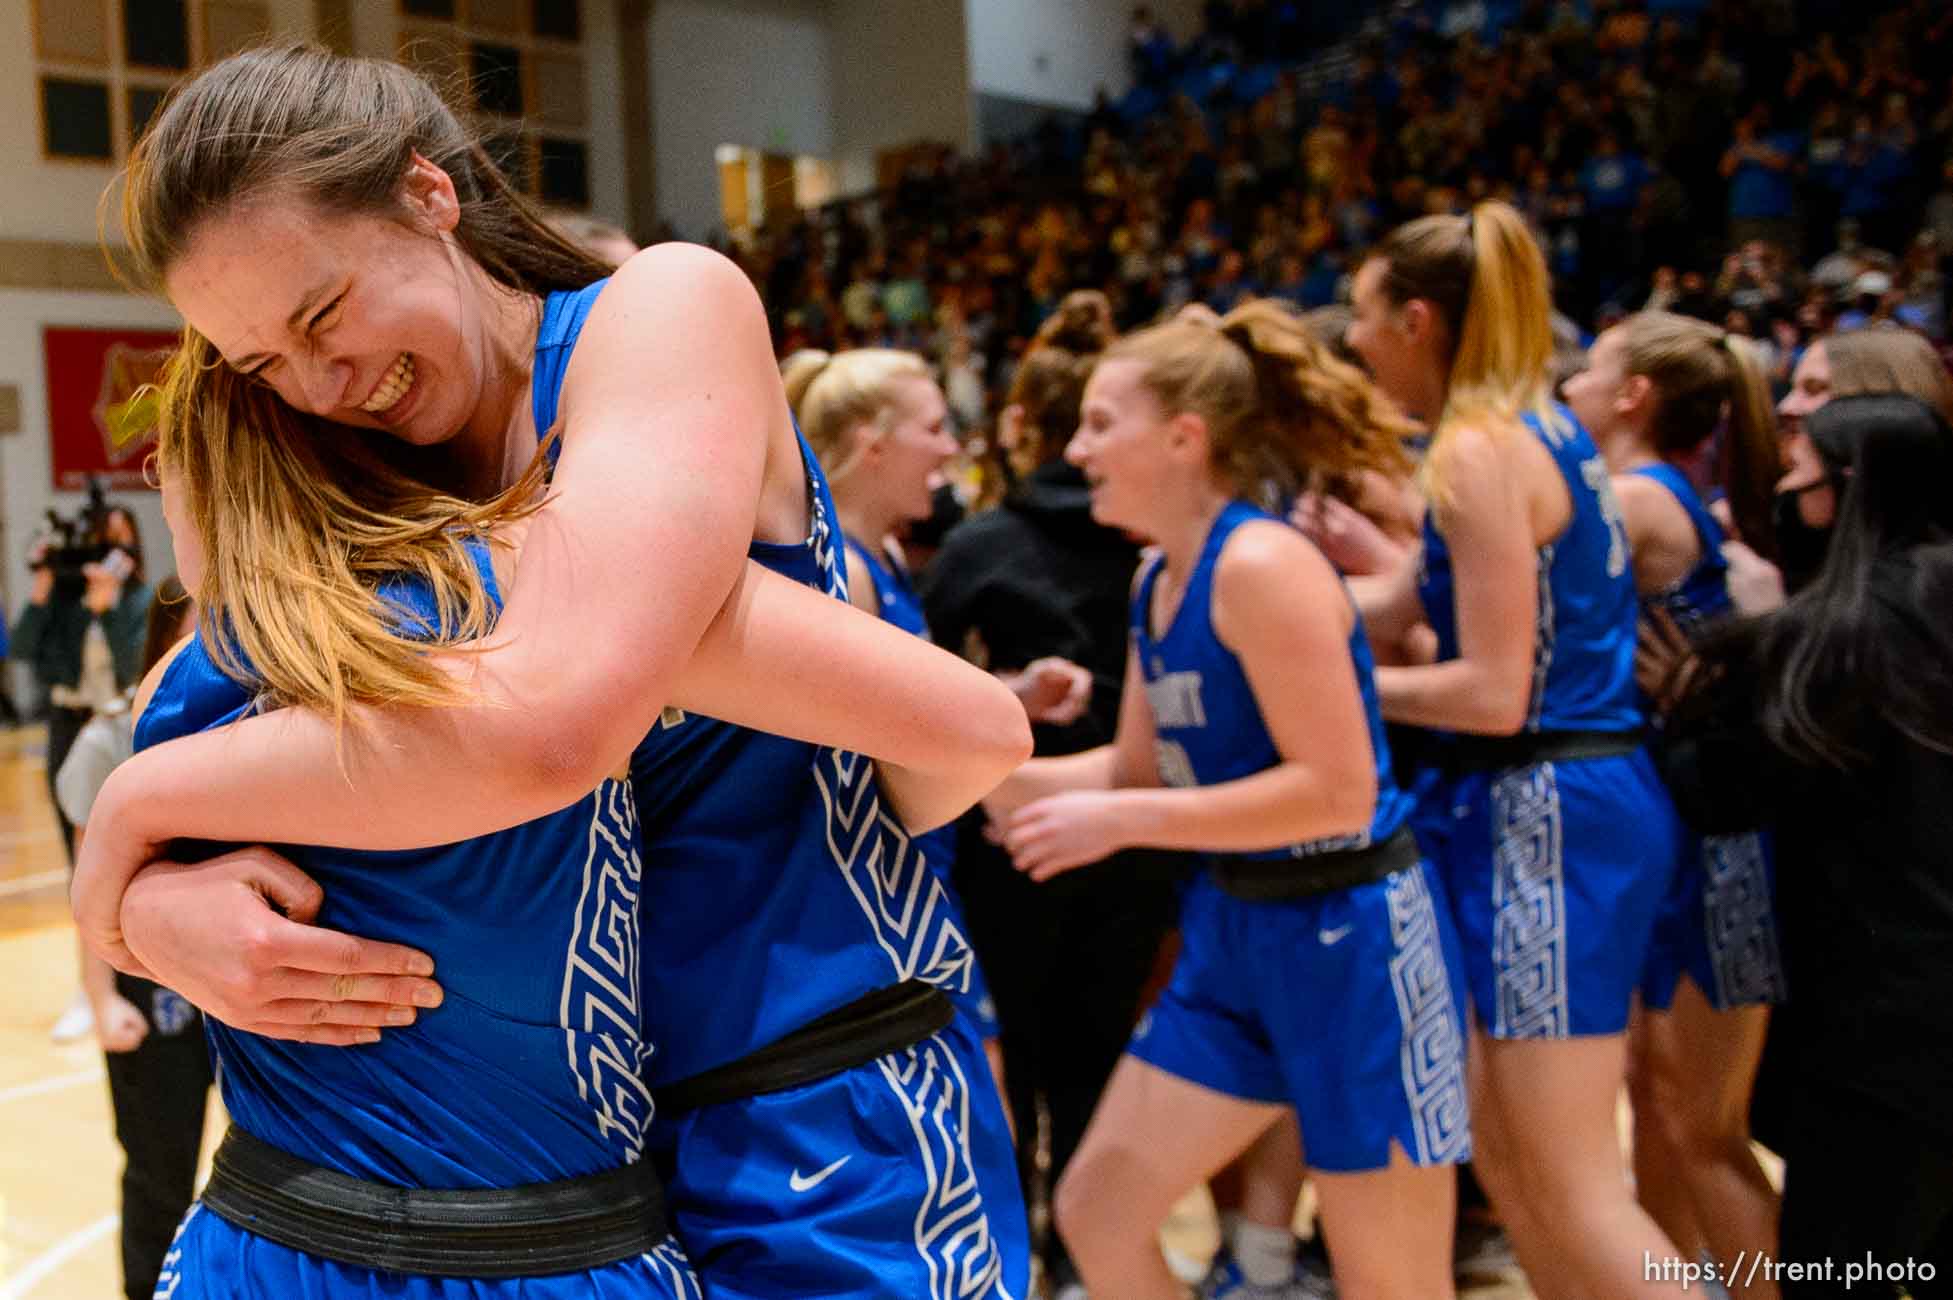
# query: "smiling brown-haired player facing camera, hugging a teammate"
{"type": "Point", "coordinates": [337, 235]}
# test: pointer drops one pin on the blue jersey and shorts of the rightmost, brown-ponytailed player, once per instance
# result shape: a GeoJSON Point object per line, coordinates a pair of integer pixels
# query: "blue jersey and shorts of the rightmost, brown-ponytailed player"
{"type": "Point", "coordinates": [1720, 922]}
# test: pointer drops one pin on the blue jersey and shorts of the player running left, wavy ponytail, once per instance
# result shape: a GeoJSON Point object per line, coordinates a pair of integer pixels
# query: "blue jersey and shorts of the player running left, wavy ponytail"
{"type": "Point", "coordinates": [1343, 1004]}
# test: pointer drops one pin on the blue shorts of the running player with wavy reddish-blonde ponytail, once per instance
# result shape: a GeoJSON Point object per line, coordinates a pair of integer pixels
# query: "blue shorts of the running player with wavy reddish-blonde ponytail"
{"type": "Point", "coordinates": [1347, 1006]}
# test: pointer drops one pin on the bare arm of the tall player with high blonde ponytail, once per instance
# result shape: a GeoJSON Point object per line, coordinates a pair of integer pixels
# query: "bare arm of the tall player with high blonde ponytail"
{"type": "Point", "coordinates": [1491, 530]}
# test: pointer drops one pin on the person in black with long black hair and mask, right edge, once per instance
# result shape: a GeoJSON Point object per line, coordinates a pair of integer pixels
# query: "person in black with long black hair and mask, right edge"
{"type": "Point", "coordinates": [1831, 721]}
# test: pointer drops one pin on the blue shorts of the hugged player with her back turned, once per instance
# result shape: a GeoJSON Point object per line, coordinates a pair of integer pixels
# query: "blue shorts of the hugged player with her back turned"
{"type": "Point", "coordinates": [216, 1260]}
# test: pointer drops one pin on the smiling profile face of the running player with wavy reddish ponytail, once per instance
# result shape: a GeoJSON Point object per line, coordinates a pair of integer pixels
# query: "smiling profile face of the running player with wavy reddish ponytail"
{"type": "Point", "coordinates": [1122, 446]}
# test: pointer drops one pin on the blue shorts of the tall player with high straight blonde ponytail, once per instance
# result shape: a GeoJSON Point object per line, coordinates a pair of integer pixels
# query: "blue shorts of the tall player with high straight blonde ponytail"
{"type": "Point", "coordinates": [1556, 875]}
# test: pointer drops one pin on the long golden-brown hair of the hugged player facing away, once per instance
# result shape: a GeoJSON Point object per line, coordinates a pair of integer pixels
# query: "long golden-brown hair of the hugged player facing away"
{"type": "Point", "coordinates": [302, 522]}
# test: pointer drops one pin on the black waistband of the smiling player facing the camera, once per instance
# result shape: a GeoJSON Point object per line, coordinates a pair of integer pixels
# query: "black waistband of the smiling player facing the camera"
{"type": "Point", "coordinates": [868, 1028]}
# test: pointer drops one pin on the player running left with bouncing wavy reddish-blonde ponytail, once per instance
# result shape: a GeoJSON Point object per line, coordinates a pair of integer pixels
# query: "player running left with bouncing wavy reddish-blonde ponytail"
{"type": "Point", "coordinates": [1317, 969]}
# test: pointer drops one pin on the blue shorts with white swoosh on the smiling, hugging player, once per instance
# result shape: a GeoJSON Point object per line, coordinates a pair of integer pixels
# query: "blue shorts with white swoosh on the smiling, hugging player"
{"type": "Point", "coordinates": [888, 1180]}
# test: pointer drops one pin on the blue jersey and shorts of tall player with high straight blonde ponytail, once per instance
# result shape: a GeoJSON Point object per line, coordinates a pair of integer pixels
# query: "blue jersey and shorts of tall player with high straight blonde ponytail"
{"type": "Point", "coordinates": [1558, 870]}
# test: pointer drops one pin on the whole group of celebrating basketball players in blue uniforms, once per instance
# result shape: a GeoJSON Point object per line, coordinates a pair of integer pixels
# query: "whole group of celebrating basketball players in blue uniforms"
{"type": "Point", "coordinates": [606, 950]}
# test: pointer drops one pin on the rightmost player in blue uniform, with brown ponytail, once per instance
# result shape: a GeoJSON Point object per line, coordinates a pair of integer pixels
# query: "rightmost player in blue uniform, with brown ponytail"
{"type": "Point", "coordinates": [1655, 393]}
